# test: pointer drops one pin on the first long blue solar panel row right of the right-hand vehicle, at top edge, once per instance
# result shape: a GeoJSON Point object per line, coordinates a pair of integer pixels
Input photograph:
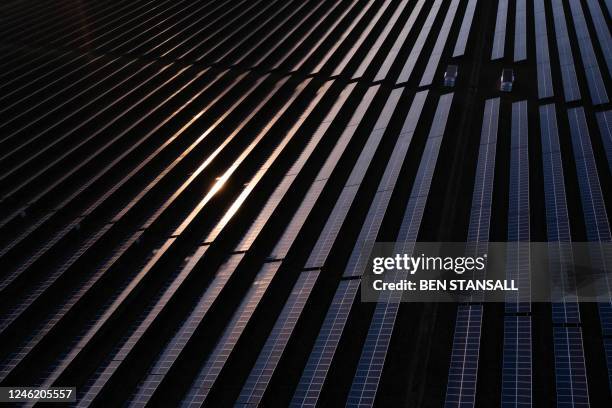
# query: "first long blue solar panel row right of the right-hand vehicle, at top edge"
{"type": "Point", "coordinates": [545, 88]}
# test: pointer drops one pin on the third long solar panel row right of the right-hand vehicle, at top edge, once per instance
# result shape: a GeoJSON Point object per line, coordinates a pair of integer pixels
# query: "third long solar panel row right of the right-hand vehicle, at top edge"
{"type": "Point", "coordinates": [596, 84]}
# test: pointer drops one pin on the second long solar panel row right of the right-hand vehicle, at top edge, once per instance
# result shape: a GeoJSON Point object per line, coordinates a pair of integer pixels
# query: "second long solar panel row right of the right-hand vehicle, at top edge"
{"type": "Point", "coordinates": [566, 60]}
